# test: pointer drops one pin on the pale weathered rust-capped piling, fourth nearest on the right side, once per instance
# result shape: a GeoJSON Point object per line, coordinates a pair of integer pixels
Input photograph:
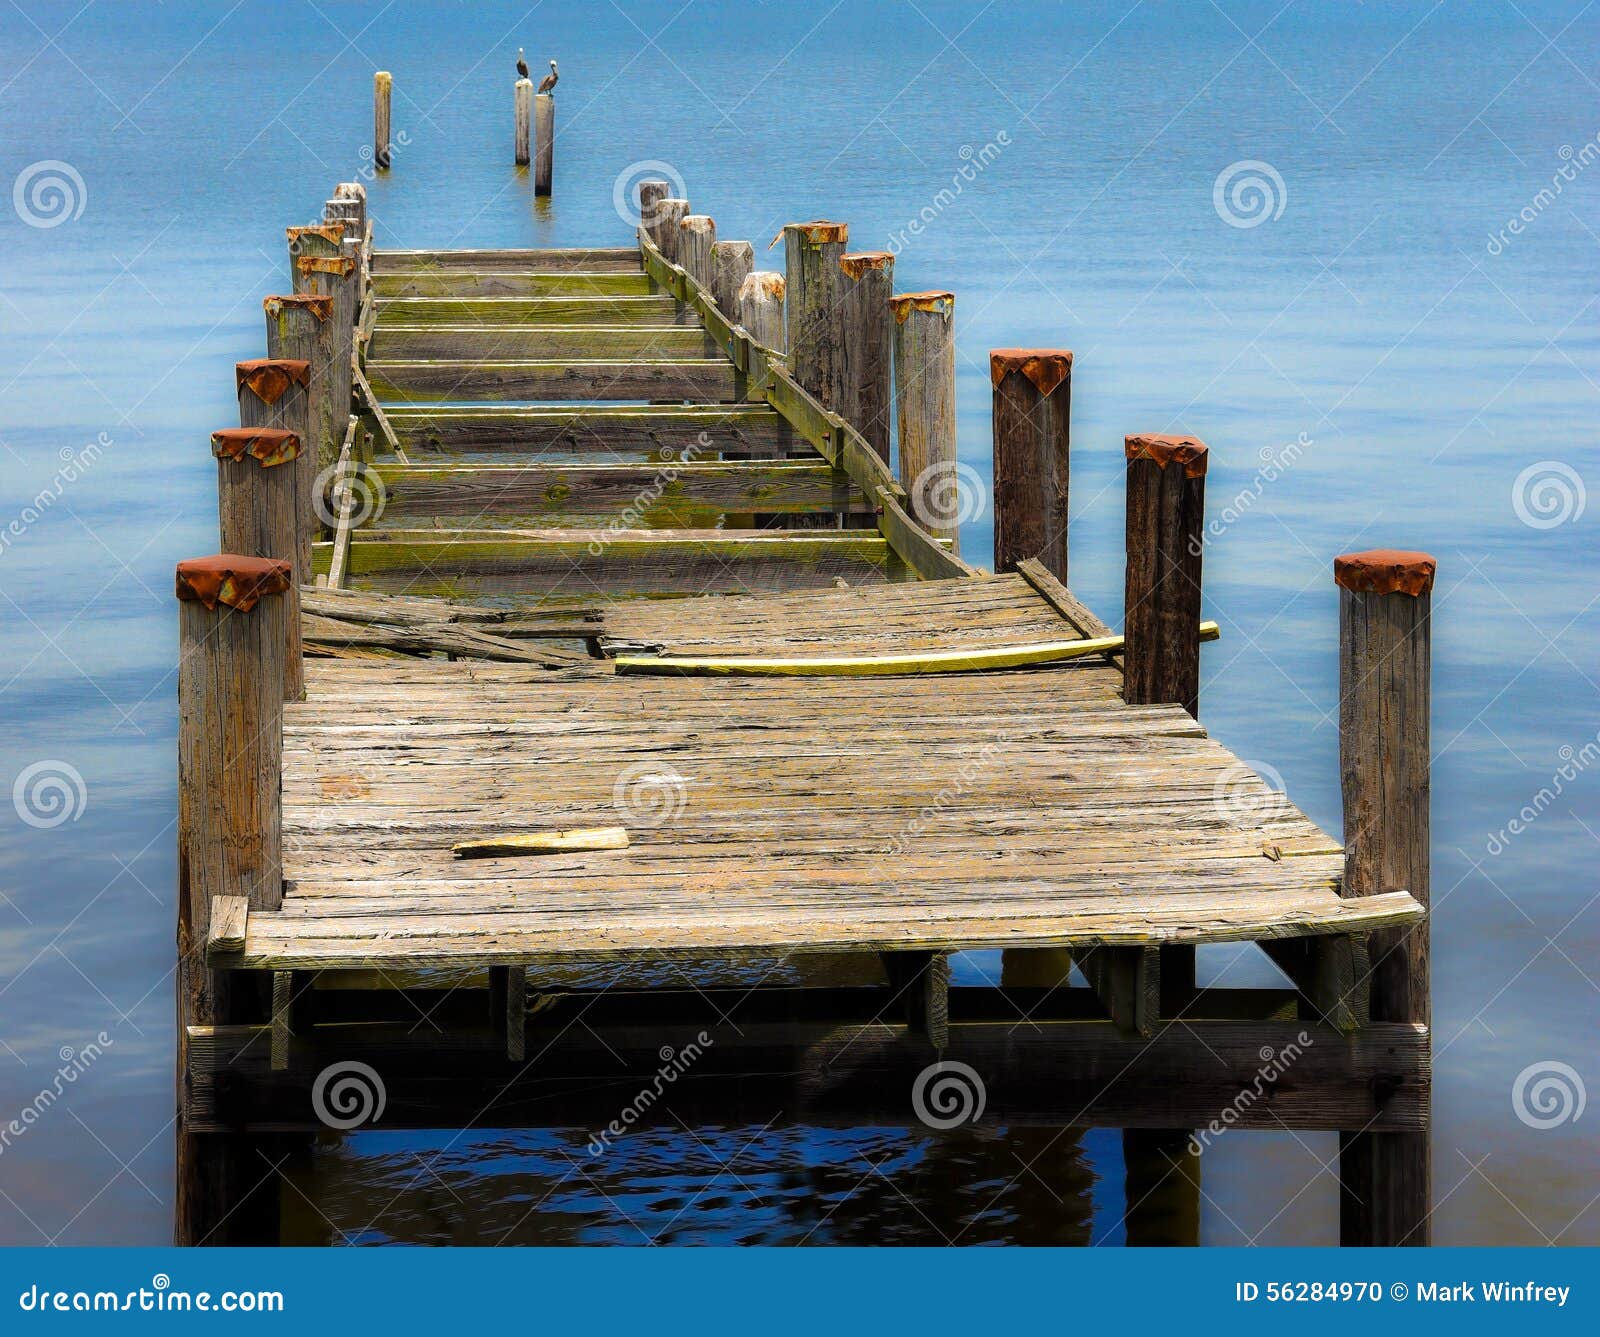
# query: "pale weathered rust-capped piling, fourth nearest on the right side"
{"type": "Point", "coordinates": [926, 391]}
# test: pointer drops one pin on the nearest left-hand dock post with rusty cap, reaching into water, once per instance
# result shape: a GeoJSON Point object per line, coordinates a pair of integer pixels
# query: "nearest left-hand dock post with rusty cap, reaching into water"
{"type": "Point", "coordinates": [233, 634]}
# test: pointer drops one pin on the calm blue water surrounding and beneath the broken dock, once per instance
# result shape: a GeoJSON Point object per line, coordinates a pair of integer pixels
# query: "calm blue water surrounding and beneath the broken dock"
{"type": "Point", "coordinates": [1425, 365]}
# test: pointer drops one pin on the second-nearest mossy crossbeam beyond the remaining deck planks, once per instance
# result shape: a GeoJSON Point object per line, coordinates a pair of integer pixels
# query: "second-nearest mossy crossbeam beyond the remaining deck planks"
{"type": "Point", "coordinates": [646, 497]}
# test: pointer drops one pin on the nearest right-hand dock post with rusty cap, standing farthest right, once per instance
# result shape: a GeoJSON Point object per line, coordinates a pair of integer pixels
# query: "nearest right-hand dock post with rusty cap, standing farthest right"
{"type": "Point", "coordinates": [1385, 666]}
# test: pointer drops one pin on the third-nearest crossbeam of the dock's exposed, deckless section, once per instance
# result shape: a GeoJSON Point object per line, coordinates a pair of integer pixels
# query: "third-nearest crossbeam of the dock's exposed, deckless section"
{"type": "Point", "coordinates": [660, 431]}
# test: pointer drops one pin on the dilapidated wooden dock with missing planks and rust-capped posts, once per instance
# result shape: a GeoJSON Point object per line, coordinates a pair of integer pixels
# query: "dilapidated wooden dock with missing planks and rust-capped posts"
{"type": "Point", "coordinates": [524, 543]}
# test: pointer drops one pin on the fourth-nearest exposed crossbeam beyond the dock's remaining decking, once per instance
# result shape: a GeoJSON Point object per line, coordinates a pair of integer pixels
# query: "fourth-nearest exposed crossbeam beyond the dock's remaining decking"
{"type": "Point", "coordinates": [655, 380]}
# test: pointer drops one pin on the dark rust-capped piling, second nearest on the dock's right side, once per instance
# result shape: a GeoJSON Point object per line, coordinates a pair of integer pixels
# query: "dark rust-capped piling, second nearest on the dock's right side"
{"type": "Point", "coordinates": [1162, 591]}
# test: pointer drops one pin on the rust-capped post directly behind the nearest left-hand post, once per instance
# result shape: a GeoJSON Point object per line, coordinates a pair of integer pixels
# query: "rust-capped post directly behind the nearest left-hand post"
{"type": "Point", "coordinates": [258, 505]}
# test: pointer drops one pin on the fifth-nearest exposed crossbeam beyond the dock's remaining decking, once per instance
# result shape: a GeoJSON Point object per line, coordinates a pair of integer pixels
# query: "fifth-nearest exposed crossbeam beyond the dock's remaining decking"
{"type": "Point", "coordinates": [534, 343]}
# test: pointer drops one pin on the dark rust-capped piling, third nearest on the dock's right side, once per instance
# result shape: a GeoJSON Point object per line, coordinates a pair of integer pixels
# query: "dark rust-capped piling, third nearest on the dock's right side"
{"type": "Point", "coordinates": [1033, 401]}
